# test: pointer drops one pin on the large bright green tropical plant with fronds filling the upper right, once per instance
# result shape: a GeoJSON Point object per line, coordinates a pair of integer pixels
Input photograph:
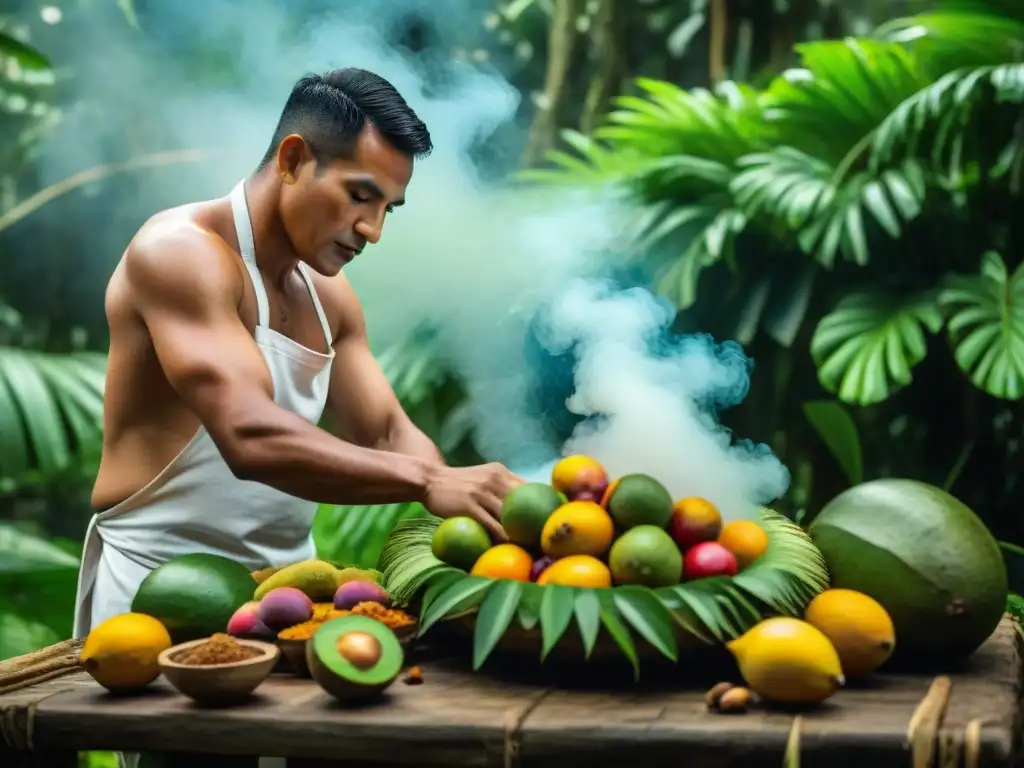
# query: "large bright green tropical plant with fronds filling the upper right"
{"type": "Point", "coordinates": [869, 141]}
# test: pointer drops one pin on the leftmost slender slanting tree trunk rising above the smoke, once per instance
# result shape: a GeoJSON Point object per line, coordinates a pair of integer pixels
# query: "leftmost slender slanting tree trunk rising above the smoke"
{"type": "Point", "coordinates": [563, 42]}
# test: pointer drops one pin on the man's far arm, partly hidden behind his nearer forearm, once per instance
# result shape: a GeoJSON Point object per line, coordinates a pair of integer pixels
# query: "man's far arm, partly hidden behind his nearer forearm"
{"type": "Point", "coordinates": [361, 402]}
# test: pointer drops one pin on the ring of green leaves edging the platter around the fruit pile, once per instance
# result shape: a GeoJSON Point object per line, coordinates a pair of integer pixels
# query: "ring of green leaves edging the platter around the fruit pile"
{"type": "Point", "coordinates": [630, 622]}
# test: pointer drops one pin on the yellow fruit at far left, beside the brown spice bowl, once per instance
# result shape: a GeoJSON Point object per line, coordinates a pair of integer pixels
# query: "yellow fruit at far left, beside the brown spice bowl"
{"type": "Point", "coordinates": [121, 653]}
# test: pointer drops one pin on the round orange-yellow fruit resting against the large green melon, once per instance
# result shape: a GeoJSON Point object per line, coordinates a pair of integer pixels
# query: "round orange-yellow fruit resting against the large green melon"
{"type": "Point", "coordinates": [859, 627]}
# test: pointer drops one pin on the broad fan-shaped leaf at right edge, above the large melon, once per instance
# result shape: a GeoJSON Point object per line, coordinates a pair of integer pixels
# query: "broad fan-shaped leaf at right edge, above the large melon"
{"type": "Point", "coordinates": [987, 327]}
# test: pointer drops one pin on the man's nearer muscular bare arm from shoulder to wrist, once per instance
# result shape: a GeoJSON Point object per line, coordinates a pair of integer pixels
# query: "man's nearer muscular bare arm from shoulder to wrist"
{"type": "Point", "coordinates": [187, 288]}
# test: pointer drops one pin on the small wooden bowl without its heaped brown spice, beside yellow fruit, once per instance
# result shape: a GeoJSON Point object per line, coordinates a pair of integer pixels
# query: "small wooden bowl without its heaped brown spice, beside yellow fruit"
{"type": "Point", "coordinates": [220, 684]}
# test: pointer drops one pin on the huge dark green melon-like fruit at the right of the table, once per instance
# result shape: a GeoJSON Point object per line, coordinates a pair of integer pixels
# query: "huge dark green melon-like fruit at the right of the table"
{"type": "Point", "coordinates": [924, 556]}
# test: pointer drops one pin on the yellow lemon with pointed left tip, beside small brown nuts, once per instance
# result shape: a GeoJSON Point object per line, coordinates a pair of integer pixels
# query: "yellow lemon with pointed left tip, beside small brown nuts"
{"type": "Point", "coordinates": [788, 661]}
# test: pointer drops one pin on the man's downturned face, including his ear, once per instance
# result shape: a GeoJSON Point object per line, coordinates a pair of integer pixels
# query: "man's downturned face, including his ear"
{"type": "Point", "coordinates": [331, 214]}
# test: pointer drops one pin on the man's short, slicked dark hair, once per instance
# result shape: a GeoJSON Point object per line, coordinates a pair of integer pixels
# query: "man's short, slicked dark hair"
{"type": "Point", "coordinates": [330, 111]}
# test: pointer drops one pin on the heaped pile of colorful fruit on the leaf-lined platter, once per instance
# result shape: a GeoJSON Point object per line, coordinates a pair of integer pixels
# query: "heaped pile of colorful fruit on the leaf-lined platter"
{"type": "Point", "coordinates": [585, 530]}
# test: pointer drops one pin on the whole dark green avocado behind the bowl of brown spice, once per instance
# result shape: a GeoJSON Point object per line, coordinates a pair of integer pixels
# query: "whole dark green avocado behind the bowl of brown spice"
{"type": "Point", "coordinates": [195, 595]}
